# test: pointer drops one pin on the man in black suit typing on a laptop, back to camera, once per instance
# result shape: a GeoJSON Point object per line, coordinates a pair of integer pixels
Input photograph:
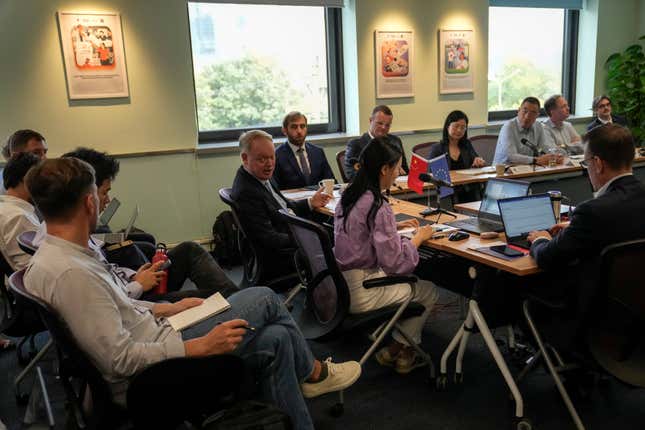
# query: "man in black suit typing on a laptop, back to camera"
{"type": "Point", "coordinates": [614, 215]}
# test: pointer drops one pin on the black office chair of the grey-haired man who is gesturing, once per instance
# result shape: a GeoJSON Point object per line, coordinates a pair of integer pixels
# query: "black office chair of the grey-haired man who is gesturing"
{"type": "Point", "coordinates": [254, 268]}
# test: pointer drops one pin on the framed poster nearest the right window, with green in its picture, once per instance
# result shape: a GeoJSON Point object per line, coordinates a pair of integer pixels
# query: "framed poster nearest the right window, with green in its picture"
{"type": "Point", "coordinates": [455, 61]}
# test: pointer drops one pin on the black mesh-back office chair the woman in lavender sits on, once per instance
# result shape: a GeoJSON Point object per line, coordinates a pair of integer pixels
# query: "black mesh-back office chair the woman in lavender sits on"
{"type": "Point", "coordinates": [326, 311]}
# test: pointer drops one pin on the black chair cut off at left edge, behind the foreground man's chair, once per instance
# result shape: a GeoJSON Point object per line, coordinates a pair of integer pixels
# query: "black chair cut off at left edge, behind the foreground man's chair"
{"type": "Point", "coordinates": [23, 322]}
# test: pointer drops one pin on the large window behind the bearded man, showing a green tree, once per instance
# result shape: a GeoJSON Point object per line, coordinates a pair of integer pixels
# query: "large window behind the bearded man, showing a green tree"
{"type": "Point", "coordinates": [253, 64]}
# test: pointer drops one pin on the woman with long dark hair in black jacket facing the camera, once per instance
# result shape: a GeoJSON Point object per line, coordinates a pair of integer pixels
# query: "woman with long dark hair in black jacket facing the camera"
{"type": "Point", "coordinates": [460, 152]}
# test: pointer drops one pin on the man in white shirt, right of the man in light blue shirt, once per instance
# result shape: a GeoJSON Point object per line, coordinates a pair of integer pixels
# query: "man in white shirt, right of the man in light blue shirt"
{"type": "Point", "coordinates": [561, 132]}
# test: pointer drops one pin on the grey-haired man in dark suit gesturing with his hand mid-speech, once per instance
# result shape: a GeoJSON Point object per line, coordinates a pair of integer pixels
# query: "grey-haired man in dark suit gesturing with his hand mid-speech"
{"type": "Point", "coordinates": [259, 201]}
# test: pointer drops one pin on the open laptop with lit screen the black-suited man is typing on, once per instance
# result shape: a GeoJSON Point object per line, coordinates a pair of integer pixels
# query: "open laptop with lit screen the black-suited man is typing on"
{"type": "Point", "coordinates": [522, 215]}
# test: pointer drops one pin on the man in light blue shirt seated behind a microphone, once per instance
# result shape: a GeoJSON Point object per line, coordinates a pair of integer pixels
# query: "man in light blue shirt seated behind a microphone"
{"type": "Point", "coordinates": [522, 140]}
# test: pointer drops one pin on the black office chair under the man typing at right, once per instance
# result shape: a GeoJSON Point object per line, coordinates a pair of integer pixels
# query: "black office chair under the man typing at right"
{"type": "Point", "coordinates": [612, 327]}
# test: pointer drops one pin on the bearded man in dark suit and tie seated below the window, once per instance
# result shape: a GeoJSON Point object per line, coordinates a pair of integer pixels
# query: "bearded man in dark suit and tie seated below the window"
{"type": "Point", "coordinates": [299, 163]}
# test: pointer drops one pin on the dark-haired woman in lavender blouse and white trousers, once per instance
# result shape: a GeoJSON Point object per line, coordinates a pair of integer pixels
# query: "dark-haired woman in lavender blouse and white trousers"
{"type": "Point", "coordinates": [369, 246]}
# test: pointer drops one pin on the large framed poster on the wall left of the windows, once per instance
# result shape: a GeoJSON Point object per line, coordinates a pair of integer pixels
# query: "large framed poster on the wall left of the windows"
{"type": "Point", "coordinates": [93, 54]}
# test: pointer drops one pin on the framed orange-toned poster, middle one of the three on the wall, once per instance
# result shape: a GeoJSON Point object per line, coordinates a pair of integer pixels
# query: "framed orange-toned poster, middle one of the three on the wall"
{"type": "Point", "coordinates": [393, 51]}
